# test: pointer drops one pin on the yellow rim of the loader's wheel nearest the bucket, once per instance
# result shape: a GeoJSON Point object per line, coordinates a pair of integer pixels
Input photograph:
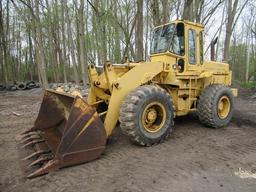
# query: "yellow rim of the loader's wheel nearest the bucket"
{"type": "Point", "coordinates": [153, 117]}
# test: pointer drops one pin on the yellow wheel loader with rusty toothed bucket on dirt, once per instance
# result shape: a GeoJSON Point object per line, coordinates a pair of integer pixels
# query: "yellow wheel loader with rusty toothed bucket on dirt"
{"type": "Point", "coordinates": [143, 97]}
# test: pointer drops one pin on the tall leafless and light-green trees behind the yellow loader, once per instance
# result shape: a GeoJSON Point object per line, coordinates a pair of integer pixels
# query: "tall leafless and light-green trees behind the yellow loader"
{"type": "Point", "coordinates": [55, 41]}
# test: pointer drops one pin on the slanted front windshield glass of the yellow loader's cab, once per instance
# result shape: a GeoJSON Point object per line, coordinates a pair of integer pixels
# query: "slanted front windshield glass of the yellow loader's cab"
{"type": "Point", "coordinates": [161, 38]}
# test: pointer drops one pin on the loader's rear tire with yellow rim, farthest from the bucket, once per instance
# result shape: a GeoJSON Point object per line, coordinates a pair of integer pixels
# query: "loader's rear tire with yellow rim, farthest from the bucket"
{"type": "Point", "coordinates": [216, 106]}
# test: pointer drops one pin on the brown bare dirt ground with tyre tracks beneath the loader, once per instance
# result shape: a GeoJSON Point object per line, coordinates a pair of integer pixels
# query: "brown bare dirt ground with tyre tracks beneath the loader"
{"type": "Point", "coordinates": [194, 158]}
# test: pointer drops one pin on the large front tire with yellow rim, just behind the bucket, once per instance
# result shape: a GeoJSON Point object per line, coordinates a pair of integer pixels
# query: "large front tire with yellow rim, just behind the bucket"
{"type": "Point", "coordinates": [146, 115]}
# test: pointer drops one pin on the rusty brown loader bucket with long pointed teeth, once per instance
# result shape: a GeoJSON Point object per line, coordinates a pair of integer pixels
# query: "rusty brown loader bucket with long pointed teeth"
{"type": "Point", "coordinates": [66, 132]}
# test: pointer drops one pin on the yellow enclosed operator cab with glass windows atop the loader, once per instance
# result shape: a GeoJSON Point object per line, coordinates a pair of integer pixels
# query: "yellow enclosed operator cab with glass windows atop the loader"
{"type": "Point", "coordinates": [169, 44]}
